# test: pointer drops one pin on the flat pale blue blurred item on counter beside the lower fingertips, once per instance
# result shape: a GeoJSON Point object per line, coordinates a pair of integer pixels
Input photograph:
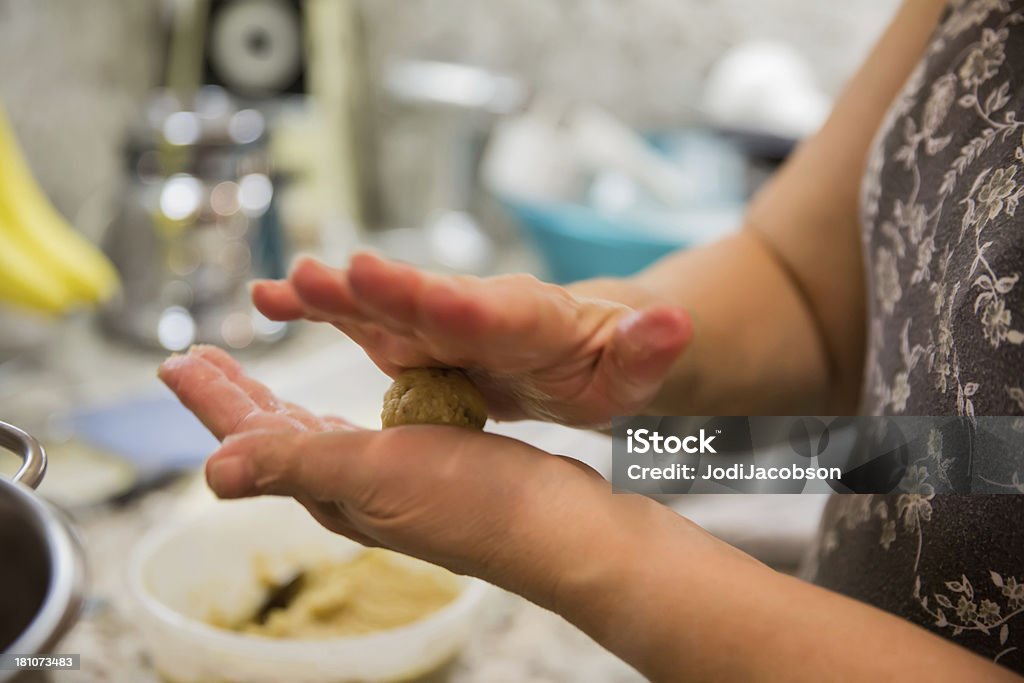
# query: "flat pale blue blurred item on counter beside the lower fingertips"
{"type": "Point", "coordinates": [155, 434]}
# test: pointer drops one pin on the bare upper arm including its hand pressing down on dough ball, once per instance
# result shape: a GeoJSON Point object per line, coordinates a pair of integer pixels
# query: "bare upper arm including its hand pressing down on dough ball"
{"type": "Point", "coordinates": [771, 321]}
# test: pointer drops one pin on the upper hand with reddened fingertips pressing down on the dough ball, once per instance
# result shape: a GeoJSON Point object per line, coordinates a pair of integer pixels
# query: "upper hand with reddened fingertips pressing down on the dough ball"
{"type": "Point", "coordinates": [535, 350]}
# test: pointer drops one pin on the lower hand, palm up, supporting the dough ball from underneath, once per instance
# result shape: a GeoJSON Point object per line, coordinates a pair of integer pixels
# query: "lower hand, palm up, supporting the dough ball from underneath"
{"type": "Point", "coordinates": [476, 503]}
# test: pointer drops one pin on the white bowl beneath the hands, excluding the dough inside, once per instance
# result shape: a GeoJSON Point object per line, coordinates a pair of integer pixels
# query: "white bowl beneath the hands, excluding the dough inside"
{"type": "Point", "coordinates": [186, 572]}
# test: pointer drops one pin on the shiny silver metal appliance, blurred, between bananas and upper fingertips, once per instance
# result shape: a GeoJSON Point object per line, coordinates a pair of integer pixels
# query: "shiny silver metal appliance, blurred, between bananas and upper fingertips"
{"type": "Point", "coordinates": [197, 223]}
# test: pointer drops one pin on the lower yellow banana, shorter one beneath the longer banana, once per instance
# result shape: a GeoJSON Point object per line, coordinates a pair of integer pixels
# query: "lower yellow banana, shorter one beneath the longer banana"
{"type": "Point", "coordinates": [24, 285]}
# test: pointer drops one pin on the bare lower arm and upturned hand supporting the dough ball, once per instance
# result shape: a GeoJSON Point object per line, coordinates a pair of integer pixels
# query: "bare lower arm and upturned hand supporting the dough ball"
{"type": "Point", "coordinates": [663, 594]}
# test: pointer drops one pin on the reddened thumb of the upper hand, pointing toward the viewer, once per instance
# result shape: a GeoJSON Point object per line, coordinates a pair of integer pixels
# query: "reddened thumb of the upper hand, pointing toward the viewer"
{"type": "Point", "coordinates": [643, 350]}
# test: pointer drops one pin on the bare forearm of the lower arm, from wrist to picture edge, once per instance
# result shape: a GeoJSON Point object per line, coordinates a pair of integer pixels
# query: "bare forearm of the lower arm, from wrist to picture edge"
{"type": "Point", "coordinates": [682, 606]}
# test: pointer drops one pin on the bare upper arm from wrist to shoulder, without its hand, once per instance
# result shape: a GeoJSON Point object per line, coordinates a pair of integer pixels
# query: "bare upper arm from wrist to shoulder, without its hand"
{"type": "Point", "coordinates": [780, 309]}
